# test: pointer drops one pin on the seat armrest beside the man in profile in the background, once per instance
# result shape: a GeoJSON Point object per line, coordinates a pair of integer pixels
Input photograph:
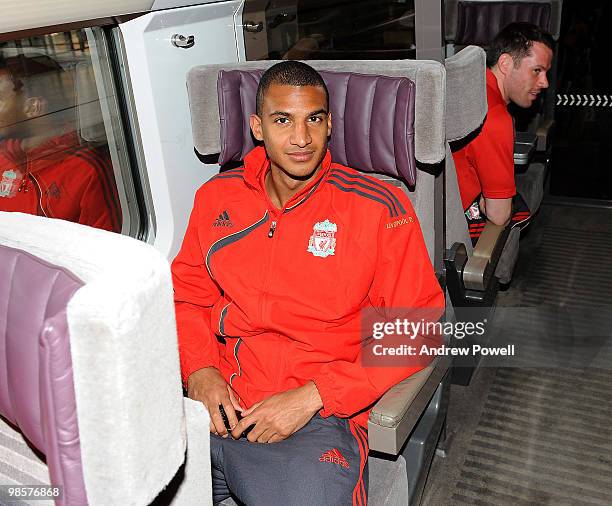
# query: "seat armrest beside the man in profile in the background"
{"type": "Point", "coordinates": [480, 266]}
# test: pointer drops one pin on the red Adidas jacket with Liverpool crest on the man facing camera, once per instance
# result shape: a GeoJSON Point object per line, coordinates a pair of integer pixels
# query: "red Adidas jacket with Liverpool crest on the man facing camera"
{"type": "Point", "coordinates": [284, 289]}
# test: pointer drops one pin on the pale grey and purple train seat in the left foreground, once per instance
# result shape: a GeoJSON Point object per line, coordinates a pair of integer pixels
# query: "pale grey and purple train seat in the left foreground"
{"type": "Point", "coordinates": [90, 391]}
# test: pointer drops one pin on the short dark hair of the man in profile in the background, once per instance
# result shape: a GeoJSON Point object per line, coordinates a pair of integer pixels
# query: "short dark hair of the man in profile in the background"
{"type": "Point", "coordinates": [516, 39]}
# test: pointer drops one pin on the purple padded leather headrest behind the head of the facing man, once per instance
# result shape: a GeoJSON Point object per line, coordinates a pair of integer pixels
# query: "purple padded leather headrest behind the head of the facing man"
{"type": "Point", "coordinates": [372, 120]}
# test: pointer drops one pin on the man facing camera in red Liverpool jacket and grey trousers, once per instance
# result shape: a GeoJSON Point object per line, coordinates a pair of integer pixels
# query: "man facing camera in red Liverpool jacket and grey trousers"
{"type": "Point", "coordinates": [279, 261]}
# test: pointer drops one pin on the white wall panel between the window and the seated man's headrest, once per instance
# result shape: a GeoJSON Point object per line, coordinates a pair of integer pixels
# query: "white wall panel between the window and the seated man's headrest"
{"type": "Point", "coordinates": [157, 71]}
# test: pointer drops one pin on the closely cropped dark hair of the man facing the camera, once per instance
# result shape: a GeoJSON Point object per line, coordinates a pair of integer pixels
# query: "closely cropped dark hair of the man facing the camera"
{"type": "Point", "coordinates": [289, 73]}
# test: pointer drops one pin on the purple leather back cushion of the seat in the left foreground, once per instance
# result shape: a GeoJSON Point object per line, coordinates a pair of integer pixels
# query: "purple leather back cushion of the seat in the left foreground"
{"type": "Point", "coordinates": [36, 392]}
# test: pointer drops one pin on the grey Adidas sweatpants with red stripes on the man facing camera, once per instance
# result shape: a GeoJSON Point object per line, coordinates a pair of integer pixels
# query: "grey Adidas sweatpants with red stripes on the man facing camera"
{"type": "Point", "coordinates": [325, 462]}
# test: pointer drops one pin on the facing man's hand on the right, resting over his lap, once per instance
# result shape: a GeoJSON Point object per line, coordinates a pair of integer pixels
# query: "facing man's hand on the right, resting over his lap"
{"type": "Point", "coordinates": [279, 416]}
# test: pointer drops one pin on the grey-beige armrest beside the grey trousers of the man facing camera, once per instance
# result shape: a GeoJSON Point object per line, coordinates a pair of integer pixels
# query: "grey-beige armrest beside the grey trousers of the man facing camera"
{"type": "Point", "coordinates": [395, 415]}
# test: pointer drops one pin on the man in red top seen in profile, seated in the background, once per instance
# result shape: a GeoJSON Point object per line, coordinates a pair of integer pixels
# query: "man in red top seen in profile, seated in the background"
{"type": "Point", "coordinates": [518, 59]}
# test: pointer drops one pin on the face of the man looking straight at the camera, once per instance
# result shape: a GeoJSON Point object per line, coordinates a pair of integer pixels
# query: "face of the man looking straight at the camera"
{"type": "Point", "coordinates": [294, 127]}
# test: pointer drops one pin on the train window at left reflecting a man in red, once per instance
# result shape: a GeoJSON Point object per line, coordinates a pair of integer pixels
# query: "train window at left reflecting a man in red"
{"type": "Point", "coordinates": [62, 149]}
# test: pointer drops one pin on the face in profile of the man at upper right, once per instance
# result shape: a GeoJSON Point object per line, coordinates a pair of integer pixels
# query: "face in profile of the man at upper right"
{"type": "Point", "coordinates": [524, 82]}
